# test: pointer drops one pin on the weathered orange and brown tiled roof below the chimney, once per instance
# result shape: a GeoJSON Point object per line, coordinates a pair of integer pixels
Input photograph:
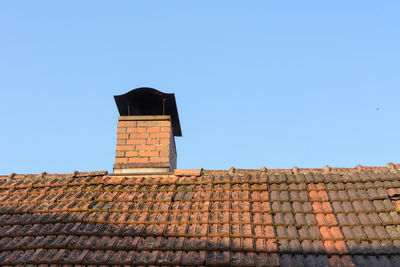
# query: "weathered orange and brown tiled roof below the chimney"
{"type": "Point", "coordinates": [296, 217]}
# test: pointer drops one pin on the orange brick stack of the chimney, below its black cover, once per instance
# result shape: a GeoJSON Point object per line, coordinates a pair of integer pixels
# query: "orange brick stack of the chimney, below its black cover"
{"type": "Point", "coordinates": [145, 144]}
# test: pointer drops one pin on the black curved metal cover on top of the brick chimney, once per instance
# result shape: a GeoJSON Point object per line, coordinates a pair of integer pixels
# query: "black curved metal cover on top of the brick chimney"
{"type": "Point", "coordinates": [148, 101]}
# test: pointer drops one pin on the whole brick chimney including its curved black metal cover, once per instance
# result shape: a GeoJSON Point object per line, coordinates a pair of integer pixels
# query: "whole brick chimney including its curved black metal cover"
{"type": "Point", "coordinates": [147, 126]}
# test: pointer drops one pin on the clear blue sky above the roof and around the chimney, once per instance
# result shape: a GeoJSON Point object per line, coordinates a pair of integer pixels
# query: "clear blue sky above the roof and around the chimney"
{"type": "Point", "coordinates": [257, 83]}
